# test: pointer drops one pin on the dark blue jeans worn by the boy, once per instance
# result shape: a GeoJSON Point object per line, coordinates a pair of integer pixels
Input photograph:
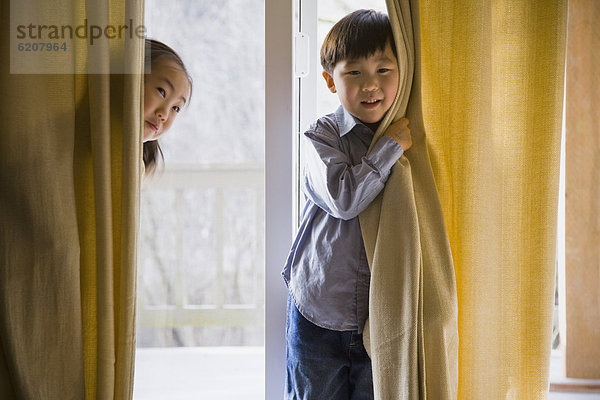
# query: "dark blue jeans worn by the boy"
{"type": "Point", "coordinates": [323, 364]}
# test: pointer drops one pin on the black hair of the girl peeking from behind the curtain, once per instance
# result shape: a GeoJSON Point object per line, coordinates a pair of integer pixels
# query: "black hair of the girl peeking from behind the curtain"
{"type": "Point", "coordinates": [154, 51]}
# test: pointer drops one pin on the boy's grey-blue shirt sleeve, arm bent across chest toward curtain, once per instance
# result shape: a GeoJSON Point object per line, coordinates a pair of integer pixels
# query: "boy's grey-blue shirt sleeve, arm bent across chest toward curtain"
{"type": "Point", "coordinates": [331, 181]}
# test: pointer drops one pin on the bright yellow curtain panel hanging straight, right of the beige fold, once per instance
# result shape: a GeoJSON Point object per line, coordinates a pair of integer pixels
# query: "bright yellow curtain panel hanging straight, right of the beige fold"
{"type": "Point", "coordinates": [492, 91]}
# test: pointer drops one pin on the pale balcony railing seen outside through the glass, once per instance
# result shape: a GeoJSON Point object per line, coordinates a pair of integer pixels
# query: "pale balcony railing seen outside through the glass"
{"type": "Point", "coordinates": [245, 182]}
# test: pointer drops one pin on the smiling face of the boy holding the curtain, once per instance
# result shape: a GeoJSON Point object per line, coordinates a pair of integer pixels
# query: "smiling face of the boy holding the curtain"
{"type": "Point", "coordinates": [366, 87]}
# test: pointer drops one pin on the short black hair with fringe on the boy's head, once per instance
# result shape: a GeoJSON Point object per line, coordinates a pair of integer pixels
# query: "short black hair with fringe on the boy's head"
{"type": "Point", "coordinates": [357, 35]}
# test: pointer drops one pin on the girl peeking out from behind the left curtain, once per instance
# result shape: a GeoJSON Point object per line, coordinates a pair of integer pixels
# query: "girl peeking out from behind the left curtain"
{"type": "Point", "coordinates": [167, 88]}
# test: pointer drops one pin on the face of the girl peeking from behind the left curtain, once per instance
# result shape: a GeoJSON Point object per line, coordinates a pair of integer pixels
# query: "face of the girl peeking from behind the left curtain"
{"type": "Point", "coordinates": [166, 89]}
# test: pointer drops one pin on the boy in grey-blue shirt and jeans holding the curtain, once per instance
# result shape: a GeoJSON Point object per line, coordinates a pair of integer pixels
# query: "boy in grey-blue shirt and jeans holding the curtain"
{"type": "Point", "coordinates": [327, 271]}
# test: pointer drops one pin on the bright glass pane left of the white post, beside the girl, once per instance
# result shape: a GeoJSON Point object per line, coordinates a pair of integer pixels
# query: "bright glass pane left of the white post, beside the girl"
{"type": "Point", "coordinates": [200, 316]}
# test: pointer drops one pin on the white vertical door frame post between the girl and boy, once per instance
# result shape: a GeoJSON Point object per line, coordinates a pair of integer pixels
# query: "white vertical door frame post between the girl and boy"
{"type": "Point", "coordinates": [280, 115]}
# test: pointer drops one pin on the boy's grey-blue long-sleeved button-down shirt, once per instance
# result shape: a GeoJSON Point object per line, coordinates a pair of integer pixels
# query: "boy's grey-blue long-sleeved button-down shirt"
{"type": "Point", "coordinates": [327, 272]}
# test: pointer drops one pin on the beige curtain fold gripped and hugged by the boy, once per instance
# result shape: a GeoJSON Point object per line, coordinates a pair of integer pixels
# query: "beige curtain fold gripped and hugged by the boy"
{"type": "Point", "coordinates": [411, 334]}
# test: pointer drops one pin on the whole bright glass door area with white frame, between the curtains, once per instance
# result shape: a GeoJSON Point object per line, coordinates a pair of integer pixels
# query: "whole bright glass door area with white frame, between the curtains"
{"type": "Point", "coordinates": [211, 317]}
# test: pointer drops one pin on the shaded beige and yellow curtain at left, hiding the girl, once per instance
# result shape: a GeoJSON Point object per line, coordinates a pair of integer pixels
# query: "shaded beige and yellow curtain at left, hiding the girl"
{"type": "Point", "coordinates": [69, 178]}
